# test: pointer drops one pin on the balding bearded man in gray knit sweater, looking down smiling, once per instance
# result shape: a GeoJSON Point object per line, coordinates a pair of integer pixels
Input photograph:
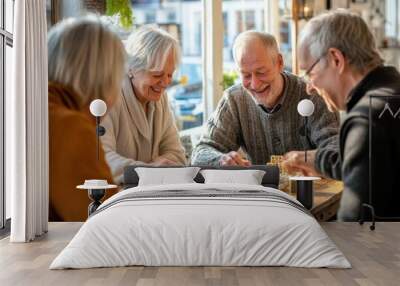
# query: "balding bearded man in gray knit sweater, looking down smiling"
{"type": "Point", "coordinates": [260, 114]}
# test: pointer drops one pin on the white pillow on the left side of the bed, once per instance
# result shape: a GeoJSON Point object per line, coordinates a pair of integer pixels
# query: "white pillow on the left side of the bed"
{"type": "Point", "coordinates": [163, 176]}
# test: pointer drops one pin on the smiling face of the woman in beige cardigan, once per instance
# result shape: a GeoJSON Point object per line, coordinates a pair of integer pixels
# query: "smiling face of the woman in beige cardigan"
{"type": "Point", "coordinates": [150, 85]}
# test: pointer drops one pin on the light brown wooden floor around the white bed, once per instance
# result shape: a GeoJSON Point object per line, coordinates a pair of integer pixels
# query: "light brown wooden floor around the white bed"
{"type": "Point", "coordinates": [375, 257]}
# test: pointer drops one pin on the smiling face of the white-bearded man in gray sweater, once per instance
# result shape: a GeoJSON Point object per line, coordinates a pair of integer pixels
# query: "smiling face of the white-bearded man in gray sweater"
{"type": "Point", "coordinates": [260, 71]}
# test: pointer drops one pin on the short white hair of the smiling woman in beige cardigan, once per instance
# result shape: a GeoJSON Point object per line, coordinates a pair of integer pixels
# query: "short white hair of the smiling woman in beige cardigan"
{"type": "Point", "coordinates": [148, 48]}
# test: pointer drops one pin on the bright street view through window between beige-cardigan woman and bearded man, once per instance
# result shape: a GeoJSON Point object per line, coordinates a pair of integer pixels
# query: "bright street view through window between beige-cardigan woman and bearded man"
{"type": "Point", "coordinates": [184, 19]}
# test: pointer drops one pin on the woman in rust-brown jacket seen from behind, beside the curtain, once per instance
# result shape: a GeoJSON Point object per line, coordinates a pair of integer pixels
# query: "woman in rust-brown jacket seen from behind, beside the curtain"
{"type": "Point", "coordinates": [86, 61]}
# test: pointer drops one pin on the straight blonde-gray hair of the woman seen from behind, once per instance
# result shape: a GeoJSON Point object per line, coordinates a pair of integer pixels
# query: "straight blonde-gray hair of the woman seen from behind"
{"type": "Point", "coordinates": [87, 56]}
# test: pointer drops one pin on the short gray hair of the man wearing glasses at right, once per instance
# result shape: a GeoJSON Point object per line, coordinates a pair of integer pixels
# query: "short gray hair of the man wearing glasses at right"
{"type": "Point", "coordinates": [344, 31]}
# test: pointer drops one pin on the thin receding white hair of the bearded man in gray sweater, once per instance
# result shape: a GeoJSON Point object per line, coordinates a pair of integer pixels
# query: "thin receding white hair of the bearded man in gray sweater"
{"type": "Point", "coordinates": [268, 40]}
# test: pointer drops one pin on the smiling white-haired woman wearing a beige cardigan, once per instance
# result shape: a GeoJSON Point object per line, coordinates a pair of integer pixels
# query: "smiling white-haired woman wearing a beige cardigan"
{"type": "Point", "coordinates": [140, 127]}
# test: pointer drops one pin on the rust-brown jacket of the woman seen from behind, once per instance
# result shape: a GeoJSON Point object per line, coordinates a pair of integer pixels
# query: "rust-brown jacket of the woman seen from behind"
{"type": "Point", "coordinates": [72, 138]}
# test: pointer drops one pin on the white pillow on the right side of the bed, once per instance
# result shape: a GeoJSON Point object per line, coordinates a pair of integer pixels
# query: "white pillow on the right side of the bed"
{"type": "Point", "coordinates": [249, 177]}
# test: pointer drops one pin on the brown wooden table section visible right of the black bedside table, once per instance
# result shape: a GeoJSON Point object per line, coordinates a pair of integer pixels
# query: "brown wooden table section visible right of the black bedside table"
{"type": "Point", "coordinates": [327, 194]}
